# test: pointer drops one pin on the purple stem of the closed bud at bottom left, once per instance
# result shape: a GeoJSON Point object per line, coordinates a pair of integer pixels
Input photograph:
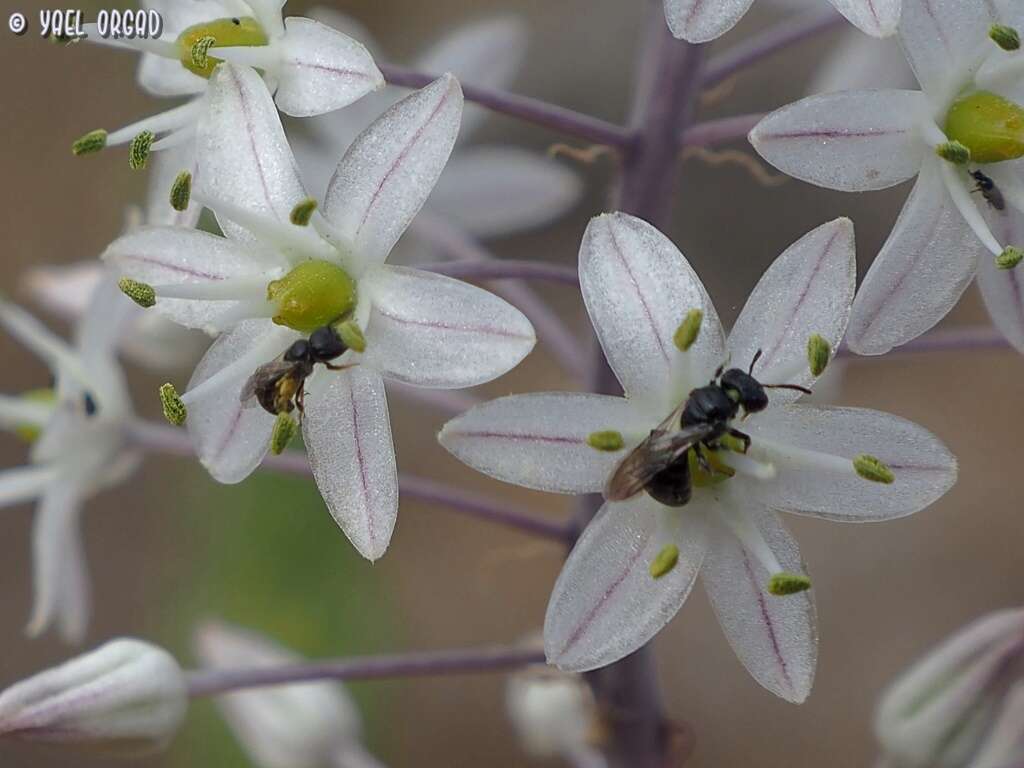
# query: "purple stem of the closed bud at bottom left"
{"type": "Point", "coordinates": [204, 684]}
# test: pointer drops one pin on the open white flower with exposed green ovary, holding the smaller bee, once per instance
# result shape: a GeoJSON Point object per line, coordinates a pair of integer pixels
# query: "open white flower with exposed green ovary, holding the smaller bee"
{"type": "Point", "coordinates": [271, 283]}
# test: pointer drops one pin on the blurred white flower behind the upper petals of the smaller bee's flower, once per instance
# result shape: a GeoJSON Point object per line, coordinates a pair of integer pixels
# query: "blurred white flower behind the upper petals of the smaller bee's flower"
{"type": "Point", "coordinates": [487, 191]}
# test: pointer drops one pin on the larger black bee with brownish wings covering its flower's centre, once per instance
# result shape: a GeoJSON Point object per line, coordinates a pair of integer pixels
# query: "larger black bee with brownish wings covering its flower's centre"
{"type": "Point", "coordinates": [661, 464]}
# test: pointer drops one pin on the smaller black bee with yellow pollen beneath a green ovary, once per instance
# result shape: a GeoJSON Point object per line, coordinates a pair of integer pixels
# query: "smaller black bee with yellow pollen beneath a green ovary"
{"type": "Point", "coordinates": [279, 386]}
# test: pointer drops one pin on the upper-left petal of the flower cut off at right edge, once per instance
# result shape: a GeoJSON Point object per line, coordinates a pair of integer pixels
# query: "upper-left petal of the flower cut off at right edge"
{"type": "Point", "coordinates": [945, 40]}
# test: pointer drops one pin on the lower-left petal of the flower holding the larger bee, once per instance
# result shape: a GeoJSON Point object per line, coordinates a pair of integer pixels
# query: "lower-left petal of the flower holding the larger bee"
{"type": "Point", "coordinates": [606, 604]}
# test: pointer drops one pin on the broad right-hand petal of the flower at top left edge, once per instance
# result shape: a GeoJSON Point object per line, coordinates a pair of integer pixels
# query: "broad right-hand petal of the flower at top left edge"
{"type": "Point", "coordinates": [322, 70]}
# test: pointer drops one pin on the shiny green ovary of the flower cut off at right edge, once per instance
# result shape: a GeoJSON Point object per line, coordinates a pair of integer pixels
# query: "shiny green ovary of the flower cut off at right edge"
{"type": "Point", "coordinates": [991, 126]}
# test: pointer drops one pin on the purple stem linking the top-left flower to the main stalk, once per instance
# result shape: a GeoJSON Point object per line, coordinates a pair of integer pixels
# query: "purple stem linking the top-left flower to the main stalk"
{"type": "Point", "coordinates": [532, 110]}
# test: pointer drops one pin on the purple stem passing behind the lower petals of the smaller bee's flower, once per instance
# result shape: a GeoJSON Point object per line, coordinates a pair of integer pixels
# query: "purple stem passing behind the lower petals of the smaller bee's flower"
{"type": "Point", "coordinates": [167, 440]}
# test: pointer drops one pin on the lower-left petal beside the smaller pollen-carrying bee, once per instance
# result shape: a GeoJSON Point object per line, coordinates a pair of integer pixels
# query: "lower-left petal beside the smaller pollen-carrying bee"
{"type": "Point", "coordinates": [233, 438]}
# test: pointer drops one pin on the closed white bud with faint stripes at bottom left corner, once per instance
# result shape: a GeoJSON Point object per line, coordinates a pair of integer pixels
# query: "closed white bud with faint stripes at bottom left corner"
{"type": "Point", "coordinates": [126, 698]}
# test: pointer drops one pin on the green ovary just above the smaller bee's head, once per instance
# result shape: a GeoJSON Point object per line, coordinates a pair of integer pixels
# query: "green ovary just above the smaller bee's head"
{"type": "Point", "coordinates": [313, 295]}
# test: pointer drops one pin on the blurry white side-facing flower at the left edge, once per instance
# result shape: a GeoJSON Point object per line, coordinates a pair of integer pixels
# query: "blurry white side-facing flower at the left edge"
{"type": "Point", "coordinates": [79, 449]}
